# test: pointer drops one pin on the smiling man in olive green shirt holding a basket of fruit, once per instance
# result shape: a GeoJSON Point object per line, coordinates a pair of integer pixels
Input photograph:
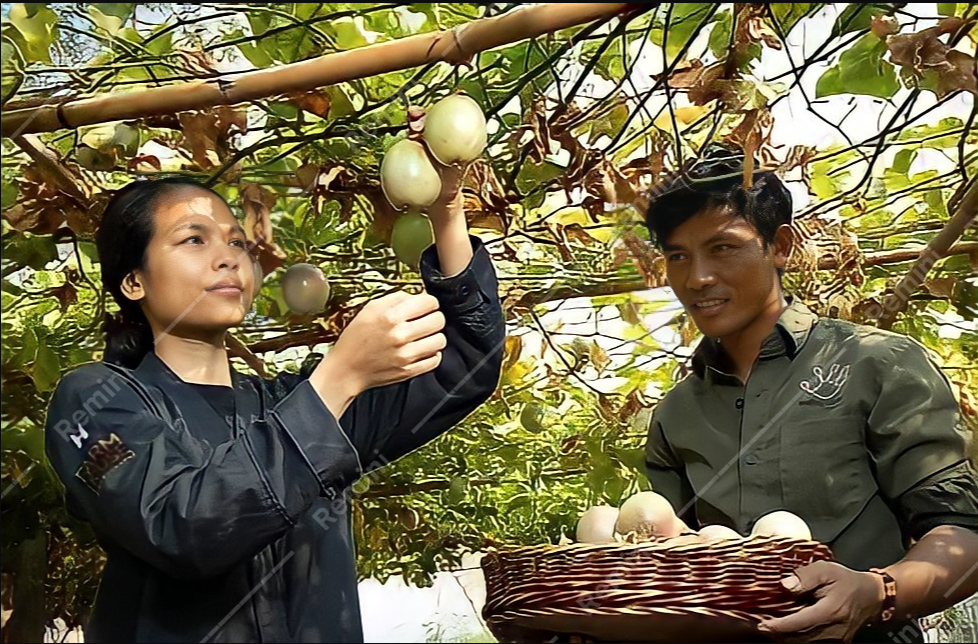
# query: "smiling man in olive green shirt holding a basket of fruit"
{"type": "Point", "coordinates": [854, 429]}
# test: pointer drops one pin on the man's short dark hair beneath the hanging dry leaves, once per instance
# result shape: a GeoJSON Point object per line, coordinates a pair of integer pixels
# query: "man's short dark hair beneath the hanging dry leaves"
{"type": "Point", "coordinates": [716, 180]}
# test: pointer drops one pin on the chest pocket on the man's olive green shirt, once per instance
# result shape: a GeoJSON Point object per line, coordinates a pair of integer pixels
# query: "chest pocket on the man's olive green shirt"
{"type": "Point", "coordinates": [825, 471]}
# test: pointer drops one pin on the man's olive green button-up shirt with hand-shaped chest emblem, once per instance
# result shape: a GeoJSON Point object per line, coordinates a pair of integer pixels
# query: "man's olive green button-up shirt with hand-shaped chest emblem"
{"type": "Point", "coordinates": [835, 422]}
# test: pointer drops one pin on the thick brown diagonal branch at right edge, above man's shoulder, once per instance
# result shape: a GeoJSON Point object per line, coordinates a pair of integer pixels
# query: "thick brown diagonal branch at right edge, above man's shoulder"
{"type": "Point", "coordinates": [938, 248]}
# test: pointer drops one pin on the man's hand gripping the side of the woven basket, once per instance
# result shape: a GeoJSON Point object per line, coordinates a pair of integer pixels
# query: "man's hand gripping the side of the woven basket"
{"type": "Point", "coordinates": [846, 600]}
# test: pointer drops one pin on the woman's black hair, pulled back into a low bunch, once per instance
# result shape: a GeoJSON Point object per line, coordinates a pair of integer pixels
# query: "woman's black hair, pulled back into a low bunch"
{"type": "Point", "coordinates": [122, 239]}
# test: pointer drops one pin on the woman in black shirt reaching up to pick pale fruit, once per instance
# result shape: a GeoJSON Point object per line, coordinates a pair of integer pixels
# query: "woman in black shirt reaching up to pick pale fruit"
{"type": "Point", "coordinates": [221, 498]}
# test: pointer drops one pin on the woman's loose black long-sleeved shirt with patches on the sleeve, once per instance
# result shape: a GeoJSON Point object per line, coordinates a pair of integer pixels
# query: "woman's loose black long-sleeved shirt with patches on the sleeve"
{"type": "Point", "coordinates": [221, 532]}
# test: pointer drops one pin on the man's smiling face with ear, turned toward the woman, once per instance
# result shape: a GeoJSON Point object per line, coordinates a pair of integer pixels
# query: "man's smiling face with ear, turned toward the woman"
{"type": "Point", "coordinates": [718, 267]}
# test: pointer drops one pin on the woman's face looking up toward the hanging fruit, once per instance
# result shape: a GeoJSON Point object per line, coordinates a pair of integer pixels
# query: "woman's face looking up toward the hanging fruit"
{"type": "Point", "coordinates": [199, 279]}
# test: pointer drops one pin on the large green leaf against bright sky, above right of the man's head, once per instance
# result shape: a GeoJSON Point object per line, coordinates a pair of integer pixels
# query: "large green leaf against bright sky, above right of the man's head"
{"type": "Point", "coordinates": [860, 70]}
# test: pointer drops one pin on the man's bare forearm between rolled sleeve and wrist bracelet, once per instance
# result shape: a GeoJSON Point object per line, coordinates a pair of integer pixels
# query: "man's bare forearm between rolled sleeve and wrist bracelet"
{"type": "Point", "coordinates": [939, 571]}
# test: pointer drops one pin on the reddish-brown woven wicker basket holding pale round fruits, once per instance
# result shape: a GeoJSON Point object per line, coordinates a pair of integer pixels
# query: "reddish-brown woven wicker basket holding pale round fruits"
{"type": "Point", "coordinates": [679, 589]}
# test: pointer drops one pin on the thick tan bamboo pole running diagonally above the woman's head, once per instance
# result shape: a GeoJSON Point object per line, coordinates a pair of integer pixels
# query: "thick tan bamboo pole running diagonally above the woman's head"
{"type": "Point", "coordinates": [452, 46]}
